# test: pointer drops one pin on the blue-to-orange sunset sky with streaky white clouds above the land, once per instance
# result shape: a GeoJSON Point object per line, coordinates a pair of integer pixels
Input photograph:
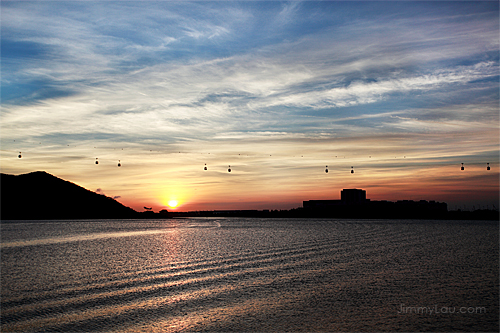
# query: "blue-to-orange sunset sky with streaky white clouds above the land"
{"type": "Point", "coordinates": [401, 92]}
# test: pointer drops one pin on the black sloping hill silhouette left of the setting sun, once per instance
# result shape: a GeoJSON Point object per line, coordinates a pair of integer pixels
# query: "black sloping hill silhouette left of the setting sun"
{"type": "Point", "coordinates": [39, 195]}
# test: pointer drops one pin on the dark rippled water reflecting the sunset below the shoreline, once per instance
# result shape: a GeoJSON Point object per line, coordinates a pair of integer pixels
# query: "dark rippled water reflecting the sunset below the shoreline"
{"type": "Point", "coordinates": [239, 274]}
